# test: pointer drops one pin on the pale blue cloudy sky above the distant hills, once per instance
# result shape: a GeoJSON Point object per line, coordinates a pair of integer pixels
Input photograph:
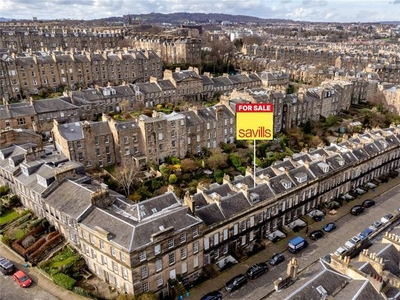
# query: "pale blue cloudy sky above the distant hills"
{"type": "Point", "coordinates": [298, 10]}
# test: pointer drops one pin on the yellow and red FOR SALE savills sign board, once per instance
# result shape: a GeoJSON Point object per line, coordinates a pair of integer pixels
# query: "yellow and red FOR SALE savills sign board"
{"type": "Point", "coordinates": [254, 121]}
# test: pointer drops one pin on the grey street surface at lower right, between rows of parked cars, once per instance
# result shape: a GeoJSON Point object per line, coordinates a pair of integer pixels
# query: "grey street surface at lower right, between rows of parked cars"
{"type": "Point", "coordinates": [347, 227]}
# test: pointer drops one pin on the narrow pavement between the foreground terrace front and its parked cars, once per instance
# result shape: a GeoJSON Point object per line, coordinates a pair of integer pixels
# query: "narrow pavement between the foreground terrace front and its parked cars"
{"type": "Point", "coordinates": [218, 282]}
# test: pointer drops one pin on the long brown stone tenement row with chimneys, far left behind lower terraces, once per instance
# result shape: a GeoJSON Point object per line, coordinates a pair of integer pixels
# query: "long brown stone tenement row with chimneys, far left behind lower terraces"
{"type": "Point", "coordinates": [29, 73]}
